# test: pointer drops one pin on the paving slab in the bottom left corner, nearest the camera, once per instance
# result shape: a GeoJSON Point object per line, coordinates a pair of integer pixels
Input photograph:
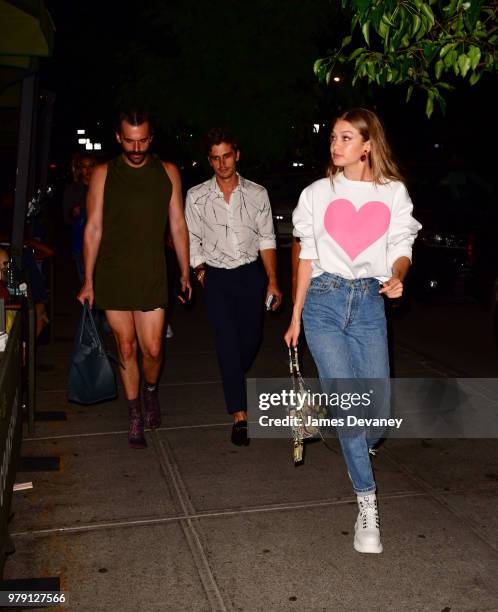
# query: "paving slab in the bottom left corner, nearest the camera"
{"type": "Point", "coordinates": [146, 569]}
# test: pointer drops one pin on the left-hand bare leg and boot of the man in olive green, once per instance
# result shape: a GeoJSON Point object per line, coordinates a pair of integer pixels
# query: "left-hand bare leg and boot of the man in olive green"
{"type": "Point", "coordinates": [123, 326]}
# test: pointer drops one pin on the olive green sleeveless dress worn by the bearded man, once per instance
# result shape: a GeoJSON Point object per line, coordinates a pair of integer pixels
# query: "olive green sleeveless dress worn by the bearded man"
{"type": "Point", "coordinates": [130, 272]}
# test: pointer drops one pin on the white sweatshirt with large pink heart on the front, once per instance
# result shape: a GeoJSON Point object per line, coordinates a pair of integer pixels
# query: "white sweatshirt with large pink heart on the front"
{"type": "Point", "coordinates": [354, 228]}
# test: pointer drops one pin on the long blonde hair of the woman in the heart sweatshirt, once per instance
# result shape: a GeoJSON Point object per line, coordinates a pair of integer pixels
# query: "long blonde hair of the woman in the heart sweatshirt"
{"type": "Point", "coordinates": [380, 157]}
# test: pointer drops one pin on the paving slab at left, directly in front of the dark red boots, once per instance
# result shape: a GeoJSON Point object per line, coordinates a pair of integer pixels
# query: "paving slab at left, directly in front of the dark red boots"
{"type": "Point", "coordinates": [100, 479]}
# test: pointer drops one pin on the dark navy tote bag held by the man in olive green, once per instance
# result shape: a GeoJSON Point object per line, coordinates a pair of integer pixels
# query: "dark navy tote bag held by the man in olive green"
{"type": "Point", "coordinates": [91, 376]}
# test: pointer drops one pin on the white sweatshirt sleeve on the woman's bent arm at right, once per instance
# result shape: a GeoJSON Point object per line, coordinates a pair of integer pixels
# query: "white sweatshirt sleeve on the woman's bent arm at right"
{"type": "Point", "coordinates": [403, 229]}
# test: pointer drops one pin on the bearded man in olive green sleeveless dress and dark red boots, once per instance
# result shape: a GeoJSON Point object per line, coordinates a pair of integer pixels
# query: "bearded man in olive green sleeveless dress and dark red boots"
{"type": "Point", "coordinates": [130, 201]}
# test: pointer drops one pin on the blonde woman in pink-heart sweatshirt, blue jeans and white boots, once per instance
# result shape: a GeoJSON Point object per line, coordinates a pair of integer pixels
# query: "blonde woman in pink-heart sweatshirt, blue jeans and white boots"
{"type": "Point", "coordinates": [356, 231]}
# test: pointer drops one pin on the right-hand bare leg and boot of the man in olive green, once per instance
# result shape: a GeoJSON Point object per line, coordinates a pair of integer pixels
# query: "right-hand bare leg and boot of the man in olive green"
{"type": "Point", "coordinates": [150, 327]}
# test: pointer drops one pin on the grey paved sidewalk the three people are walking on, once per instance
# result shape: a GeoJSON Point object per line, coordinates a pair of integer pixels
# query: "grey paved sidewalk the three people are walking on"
{"type": "Point", "coordinates": [195, 523]}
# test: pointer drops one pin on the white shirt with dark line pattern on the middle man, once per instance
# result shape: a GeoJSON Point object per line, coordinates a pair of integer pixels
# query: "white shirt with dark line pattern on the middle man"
{"type": "Point", "coordinates": [228, 235]}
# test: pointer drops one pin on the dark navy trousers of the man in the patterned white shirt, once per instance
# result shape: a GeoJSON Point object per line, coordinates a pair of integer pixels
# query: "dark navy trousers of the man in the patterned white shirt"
{"type": "Point", "coordinates": [235, 302]}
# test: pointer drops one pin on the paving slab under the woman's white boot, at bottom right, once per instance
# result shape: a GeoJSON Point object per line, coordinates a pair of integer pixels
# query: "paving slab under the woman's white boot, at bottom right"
{"type": "Point", "coordinates": [304, 560]}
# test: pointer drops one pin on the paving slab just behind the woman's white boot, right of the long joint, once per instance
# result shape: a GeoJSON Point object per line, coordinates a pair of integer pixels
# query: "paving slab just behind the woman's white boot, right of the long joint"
{"type": "Point", "coordinates": [218, 475]}
